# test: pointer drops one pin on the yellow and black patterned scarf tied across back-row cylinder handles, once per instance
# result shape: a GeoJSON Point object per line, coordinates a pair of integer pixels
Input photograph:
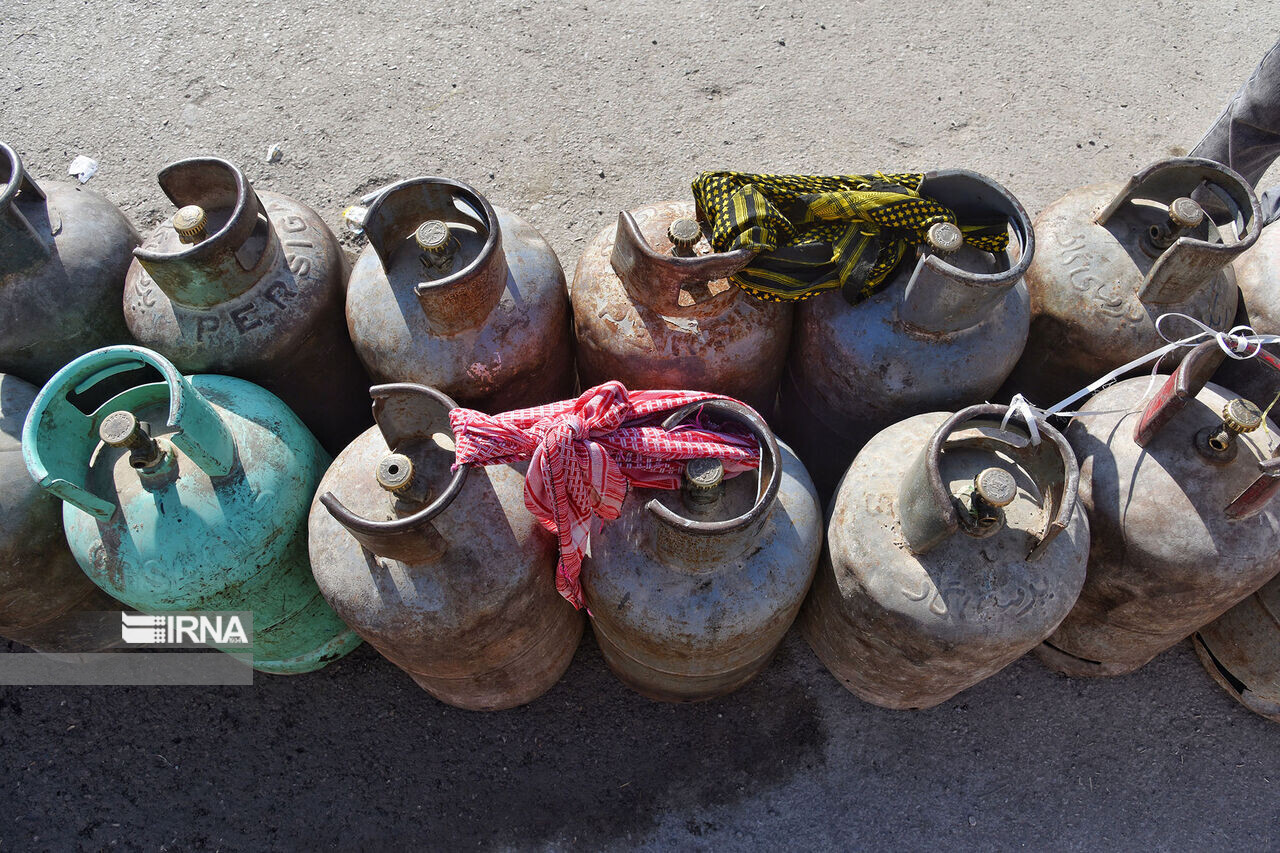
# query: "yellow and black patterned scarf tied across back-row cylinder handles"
{"type": "Point", "coordinates": [816, 234]}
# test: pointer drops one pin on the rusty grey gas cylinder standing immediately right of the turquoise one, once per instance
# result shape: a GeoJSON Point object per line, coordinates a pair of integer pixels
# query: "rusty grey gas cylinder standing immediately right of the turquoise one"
{"type": "Point", "coordinates": [449, 576]}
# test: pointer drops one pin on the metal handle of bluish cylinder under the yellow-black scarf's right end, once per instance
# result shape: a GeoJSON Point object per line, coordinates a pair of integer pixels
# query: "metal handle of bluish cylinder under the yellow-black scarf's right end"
{"type": "Point", "coordinates": [944, 298]}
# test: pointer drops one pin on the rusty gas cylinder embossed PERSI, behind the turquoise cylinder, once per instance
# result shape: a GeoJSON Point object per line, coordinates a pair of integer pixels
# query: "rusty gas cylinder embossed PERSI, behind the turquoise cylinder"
{"type": "Point", "coordinates": [250, 285]}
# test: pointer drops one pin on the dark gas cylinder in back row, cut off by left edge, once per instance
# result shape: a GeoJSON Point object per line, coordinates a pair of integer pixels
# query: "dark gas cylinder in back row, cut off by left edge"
{"type": "Point", "coordinates": [63, 256]}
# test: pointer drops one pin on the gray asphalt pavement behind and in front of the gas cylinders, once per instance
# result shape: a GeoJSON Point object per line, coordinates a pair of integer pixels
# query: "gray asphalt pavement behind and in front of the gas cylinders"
{"type": "Point", "coordinates": [568, 112]}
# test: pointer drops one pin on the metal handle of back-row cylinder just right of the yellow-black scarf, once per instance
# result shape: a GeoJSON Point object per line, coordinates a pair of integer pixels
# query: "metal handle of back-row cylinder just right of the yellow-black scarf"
{"type": "Point", "coordinates": [1190, 262]}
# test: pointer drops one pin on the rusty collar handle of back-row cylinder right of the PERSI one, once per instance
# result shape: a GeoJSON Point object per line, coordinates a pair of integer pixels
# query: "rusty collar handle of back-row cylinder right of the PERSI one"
{"type": "Point", "coordinates": [465, 297]}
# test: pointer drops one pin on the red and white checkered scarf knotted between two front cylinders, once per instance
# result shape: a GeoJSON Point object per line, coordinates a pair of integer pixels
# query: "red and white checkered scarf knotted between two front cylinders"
{"type": "Point", "coordinates": [584, 453]}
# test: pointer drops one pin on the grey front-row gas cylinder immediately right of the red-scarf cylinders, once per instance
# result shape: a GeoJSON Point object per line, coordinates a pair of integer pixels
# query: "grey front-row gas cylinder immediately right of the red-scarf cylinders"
{"type": "Point", "coordinates": [956, 546]}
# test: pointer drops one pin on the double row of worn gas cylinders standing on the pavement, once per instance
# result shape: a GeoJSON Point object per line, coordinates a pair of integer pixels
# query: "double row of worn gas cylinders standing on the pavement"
{"type": "Point", "coordinates": [240, 346]}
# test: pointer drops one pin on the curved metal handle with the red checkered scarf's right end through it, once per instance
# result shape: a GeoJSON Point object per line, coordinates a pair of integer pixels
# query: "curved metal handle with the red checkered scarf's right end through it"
{"type": "Point", "coordinates": [769, 475]}
